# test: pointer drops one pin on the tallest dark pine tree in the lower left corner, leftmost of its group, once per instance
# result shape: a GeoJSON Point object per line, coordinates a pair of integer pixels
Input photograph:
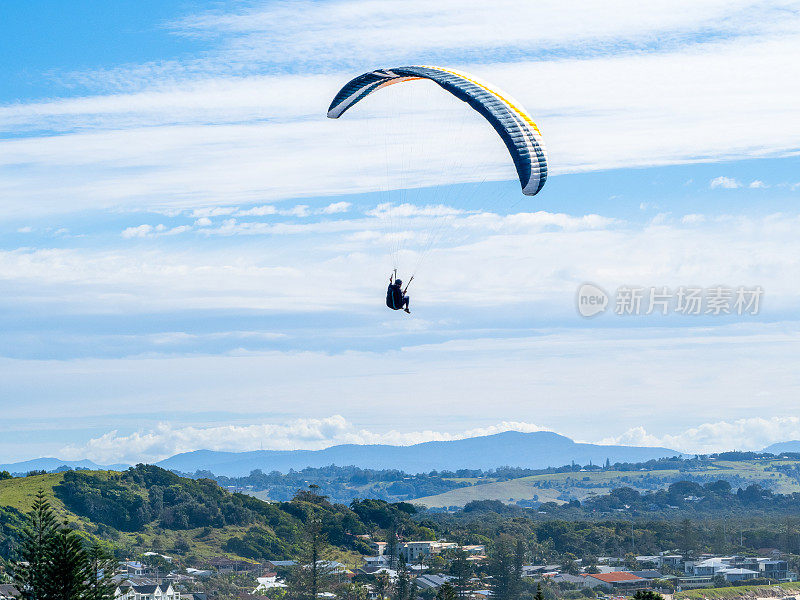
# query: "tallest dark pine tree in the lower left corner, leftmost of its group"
{"type": "Point", "coordinates": [37, 539]}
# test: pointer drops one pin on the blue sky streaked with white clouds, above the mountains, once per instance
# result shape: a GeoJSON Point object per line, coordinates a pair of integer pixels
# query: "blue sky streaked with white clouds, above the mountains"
{"type": "Point", "coordinates": [192, 256]}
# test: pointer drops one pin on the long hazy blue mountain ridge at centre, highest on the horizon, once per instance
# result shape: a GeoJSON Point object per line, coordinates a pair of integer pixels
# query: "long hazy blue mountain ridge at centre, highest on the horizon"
{"type": "Point", "coordinates": [536, 450]}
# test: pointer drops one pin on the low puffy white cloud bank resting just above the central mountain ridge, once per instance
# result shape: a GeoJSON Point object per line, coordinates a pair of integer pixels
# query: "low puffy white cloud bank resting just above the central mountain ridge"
{"type": "Point", "coordinates": [311, 434]}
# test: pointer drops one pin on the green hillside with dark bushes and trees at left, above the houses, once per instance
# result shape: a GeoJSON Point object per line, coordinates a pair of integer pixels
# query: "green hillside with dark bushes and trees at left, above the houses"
{"type": "Point", "coordinates": [149, 508]}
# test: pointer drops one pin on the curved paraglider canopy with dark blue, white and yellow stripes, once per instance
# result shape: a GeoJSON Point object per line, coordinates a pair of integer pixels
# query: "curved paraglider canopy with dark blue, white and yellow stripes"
{"type": "Point", "coordinates": [518, 131]}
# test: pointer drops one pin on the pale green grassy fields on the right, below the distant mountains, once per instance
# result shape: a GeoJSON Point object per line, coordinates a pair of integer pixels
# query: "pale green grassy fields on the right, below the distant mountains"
{"type": "Point", "coordinates": [581, 485]}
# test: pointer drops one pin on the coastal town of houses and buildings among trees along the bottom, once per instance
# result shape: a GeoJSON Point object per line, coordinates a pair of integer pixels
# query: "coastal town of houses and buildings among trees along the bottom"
{"type": "Point", "coordinates": [430, 567]}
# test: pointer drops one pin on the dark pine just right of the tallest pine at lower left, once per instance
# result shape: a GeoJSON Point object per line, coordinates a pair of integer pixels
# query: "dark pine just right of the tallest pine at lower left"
{"type": "Point", "coordinates": [68, 570]}
